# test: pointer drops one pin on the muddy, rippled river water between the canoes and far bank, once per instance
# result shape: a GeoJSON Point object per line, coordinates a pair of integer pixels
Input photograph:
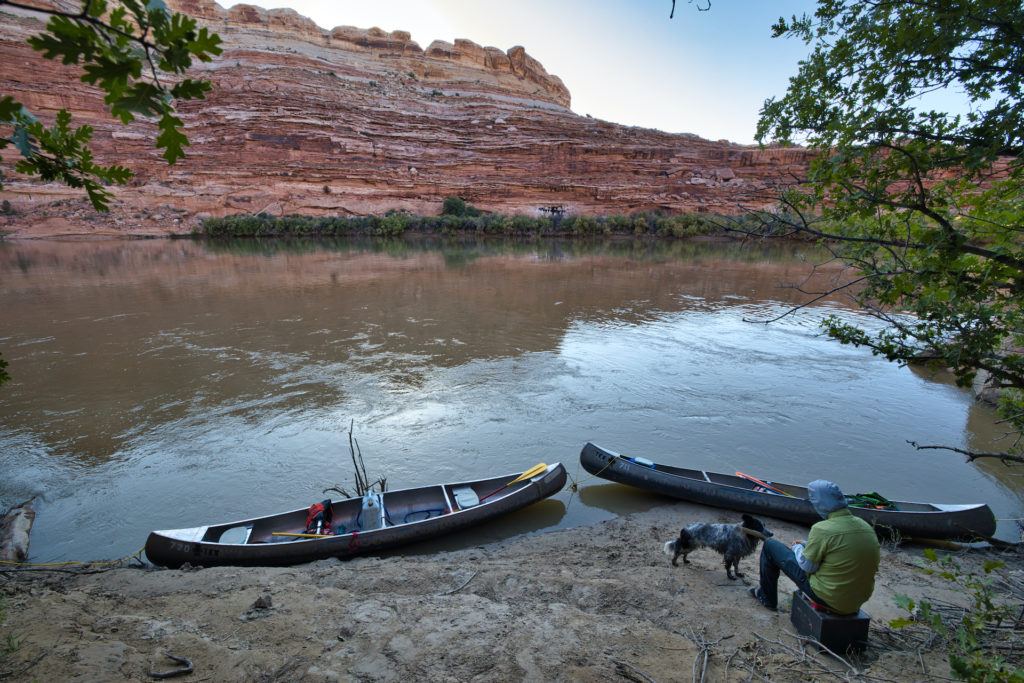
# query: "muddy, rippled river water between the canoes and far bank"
{"type": "Point", "coordinates": [162, 385]}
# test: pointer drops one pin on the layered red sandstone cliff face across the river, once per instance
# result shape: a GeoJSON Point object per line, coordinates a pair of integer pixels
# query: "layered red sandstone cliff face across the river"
{"type": "Point", "coordinates": [353, 121]}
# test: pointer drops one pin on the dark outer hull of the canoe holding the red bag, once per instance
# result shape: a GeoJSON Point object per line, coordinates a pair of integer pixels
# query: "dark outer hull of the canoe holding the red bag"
{"type": "Point", "coordinates": [195, 546]}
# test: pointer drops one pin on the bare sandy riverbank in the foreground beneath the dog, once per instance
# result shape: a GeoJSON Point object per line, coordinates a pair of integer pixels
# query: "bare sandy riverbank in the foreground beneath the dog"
{"type": "Point", "coordinates": [592, 604]}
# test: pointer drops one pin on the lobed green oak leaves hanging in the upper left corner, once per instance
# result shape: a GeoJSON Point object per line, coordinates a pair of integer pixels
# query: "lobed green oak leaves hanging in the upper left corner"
{"type": "Point", "coordinates": [136, 52]}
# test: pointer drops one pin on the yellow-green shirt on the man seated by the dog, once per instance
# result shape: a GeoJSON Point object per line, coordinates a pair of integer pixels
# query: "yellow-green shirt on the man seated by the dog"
{"type": "Point", "coordinates": [846, 551]}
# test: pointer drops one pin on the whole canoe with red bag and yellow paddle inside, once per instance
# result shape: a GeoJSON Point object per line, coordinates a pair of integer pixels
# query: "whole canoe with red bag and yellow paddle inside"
{"type": "Point", "coordinates": [398, 518]}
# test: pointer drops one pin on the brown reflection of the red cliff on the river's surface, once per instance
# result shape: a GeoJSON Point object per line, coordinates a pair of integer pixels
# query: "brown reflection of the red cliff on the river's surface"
{"type": "Point", "coordinates": [136, 335]}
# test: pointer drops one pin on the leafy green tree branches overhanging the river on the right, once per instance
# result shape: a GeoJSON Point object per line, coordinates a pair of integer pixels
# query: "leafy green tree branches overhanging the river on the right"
{"type": "Point", "coordinates": [923, 197]}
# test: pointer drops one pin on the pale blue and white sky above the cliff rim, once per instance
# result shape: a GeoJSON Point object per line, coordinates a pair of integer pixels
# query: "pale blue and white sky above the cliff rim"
{"type": "Point", "coordinates": [706, 73]}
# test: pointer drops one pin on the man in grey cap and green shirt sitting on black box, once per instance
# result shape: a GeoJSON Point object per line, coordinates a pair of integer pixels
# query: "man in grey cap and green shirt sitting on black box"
{"type": "Point", "coordinates": [837, 567]}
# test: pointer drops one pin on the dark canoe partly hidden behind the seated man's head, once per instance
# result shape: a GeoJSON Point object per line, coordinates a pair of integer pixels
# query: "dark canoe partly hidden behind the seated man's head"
{"type": "Point", "coordinates": [920, 521]}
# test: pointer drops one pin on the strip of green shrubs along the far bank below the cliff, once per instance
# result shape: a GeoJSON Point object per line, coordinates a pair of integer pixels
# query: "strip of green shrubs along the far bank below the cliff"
{"type": "Point", "coordinates": [468, 221]}
